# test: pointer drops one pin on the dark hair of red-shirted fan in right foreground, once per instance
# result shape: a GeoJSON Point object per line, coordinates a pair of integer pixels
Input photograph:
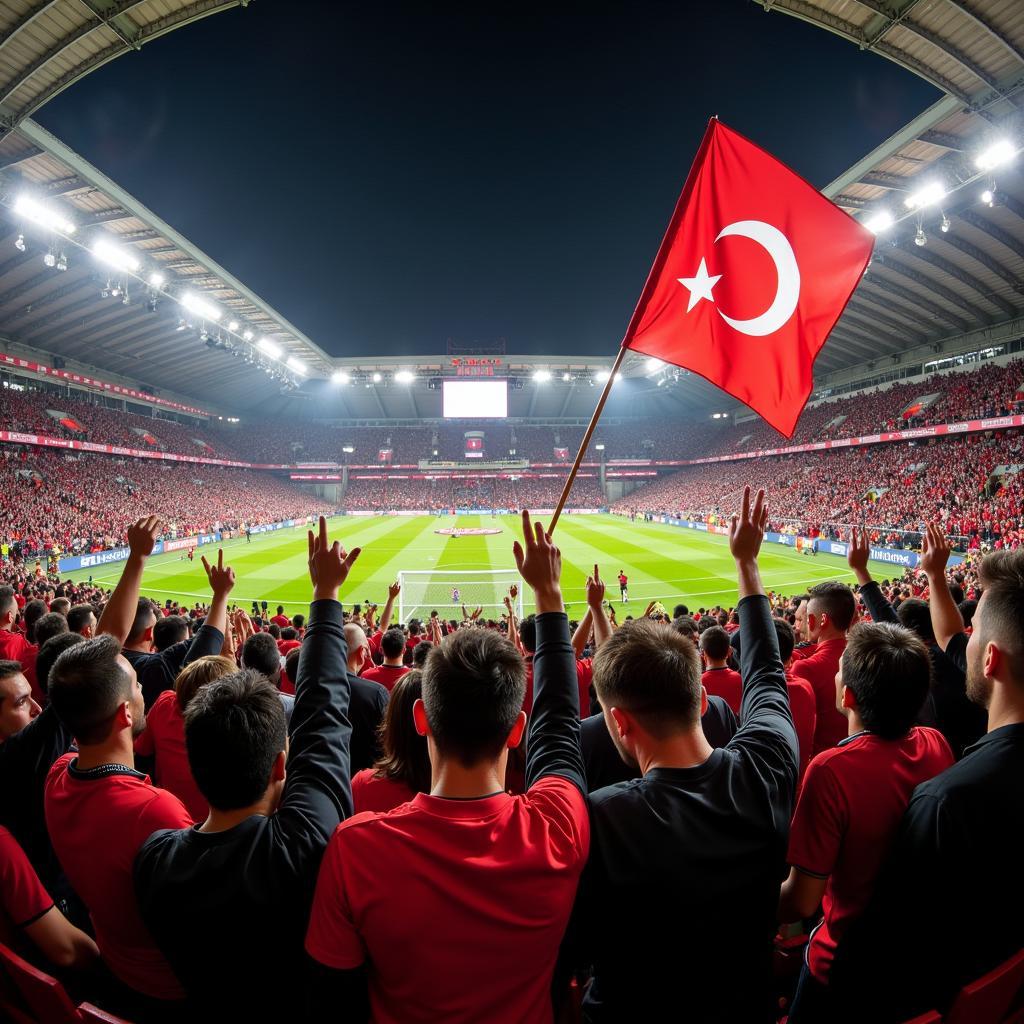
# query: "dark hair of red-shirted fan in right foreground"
{"type": "Point", "coordinates": [889, 670]}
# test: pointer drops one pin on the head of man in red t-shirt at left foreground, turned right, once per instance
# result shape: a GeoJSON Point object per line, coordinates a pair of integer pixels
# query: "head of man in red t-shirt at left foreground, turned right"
{"type": "Point", "coordinates": [96, 694]}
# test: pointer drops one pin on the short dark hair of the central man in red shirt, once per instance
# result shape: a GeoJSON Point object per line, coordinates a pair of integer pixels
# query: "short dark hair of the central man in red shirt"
{"type": "Point", "coordinates": [475, 684]}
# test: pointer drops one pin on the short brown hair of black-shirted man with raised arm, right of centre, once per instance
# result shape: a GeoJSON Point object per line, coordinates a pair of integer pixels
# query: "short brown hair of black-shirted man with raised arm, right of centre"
{"type": "Point", "coordinates": [653, 672]}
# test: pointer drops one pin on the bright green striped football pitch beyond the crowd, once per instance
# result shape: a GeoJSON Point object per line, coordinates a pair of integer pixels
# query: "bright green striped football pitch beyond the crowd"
{"type": "Point", "coordinates": [663, 563]}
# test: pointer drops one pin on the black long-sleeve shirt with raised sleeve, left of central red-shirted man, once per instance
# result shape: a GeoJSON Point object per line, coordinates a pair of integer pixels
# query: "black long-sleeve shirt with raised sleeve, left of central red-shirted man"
{"type": "Point", "coordinates": [230, 910]}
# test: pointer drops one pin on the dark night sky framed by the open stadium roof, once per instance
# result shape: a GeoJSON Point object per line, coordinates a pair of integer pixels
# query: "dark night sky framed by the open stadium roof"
{"type": "Point", "coordinates": [390, 179]}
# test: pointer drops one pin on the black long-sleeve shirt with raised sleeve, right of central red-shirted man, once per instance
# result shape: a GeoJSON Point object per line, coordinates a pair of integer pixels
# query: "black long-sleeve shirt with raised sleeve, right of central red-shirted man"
{"type": "Point", "coordinates": [682, 885]}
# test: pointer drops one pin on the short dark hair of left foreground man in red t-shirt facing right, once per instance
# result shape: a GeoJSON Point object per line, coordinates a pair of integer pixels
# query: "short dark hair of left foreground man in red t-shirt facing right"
{"type": "Point", "coordinates": [87, 688]}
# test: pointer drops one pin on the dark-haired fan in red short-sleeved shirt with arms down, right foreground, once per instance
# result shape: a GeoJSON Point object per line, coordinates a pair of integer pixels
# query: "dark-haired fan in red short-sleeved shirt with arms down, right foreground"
{"type": "Point", "coordinates": [856, 794]}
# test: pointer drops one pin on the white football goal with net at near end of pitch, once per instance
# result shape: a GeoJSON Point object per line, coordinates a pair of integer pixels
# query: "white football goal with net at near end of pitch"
{"type": "Point", "coordinates": [447, 591]}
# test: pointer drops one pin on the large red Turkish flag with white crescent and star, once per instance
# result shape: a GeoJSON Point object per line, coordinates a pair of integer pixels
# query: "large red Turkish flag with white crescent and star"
{"type": "Point", "coordinates": [753, 273]}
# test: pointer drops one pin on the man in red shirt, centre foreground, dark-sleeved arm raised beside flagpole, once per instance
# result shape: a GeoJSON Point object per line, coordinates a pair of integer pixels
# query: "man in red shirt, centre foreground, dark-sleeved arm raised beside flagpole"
{"type": "Point", "coordinates": [453, 907]}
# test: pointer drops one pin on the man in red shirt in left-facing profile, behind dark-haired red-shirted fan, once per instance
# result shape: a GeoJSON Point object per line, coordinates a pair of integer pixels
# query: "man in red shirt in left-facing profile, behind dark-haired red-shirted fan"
{"type": "Point", "coordinates": [831, 610]}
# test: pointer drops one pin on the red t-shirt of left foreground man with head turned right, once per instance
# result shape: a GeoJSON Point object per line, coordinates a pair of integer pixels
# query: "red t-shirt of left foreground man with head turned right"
{"type": "Point", "coordinates": [98, 822]}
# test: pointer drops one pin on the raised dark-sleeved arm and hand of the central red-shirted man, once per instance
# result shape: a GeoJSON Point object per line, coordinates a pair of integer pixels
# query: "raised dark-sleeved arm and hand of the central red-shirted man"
{"type": "Point", "coordinates": [553, 744]}
